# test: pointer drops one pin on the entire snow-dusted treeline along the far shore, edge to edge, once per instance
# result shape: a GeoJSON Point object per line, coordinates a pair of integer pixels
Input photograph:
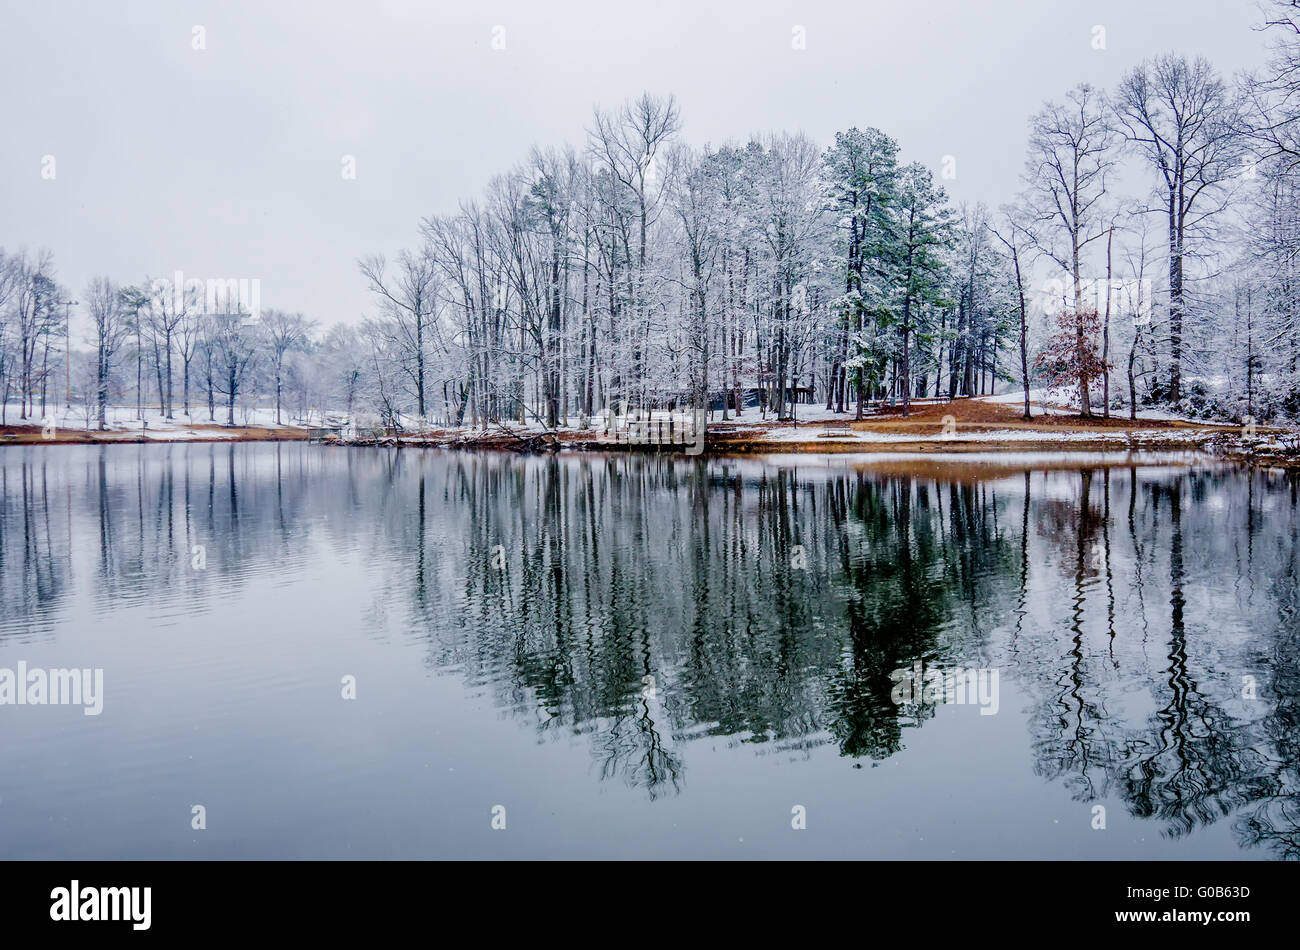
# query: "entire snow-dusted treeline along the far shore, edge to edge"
{"type": "Point", "coordinates": [639, 270]}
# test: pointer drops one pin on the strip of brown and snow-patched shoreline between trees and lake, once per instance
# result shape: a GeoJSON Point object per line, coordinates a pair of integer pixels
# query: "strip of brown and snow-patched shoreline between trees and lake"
{"type": "Point", "coordinates": [934, 431]}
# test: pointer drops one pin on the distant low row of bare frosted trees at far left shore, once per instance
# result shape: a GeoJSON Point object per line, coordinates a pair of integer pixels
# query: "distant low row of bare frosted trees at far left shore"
{"type": "Point", "coordinates": [163, 352]}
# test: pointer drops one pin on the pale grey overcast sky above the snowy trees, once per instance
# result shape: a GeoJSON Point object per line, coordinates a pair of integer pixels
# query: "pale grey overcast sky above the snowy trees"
{"type": "Point", "coordinates": [226, 162]}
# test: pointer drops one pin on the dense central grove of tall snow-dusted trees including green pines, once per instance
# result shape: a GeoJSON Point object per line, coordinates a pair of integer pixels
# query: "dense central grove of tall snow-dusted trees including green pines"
{"type": "Point", "coordinates": [647, 272]}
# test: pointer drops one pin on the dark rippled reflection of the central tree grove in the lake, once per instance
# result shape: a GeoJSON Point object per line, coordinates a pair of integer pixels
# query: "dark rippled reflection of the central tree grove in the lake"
{"type": "Point", "coordinates": [766, 608]}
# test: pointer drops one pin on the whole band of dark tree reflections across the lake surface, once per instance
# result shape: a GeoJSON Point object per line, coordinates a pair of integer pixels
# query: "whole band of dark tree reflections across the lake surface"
{"type": "Point", "coordinates": [645, 602]}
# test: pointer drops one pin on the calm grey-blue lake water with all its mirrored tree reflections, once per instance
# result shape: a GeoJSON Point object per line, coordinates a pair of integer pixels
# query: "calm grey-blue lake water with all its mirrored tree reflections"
{"type": "Point", "coordinates": [645, 657]}
